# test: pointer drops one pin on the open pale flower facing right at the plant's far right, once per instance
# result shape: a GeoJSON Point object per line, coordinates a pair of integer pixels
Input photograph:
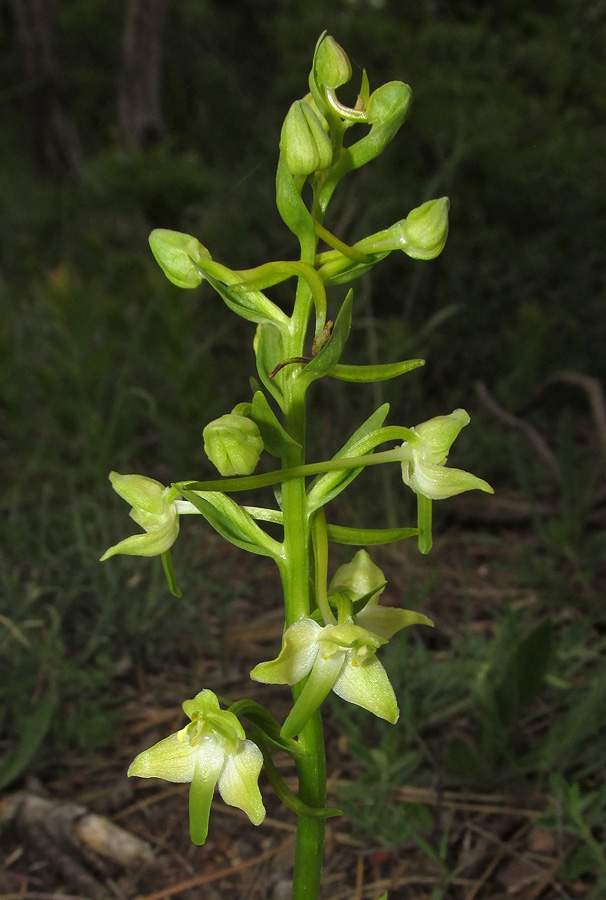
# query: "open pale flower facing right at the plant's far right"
{"type": "Point", "coordinates": [423, 467]}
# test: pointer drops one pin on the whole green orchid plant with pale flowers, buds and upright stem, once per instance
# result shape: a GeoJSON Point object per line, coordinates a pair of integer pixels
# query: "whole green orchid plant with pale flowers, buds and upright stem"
{"type": "Point", "coordinates": [334, 631]}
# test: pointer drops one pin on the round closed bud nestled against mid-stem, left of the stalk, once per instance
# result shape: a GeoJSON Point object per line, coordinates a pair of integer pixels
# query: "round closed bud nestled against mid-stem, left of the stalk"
{"type": "Point", "coordinates": [233, 444]}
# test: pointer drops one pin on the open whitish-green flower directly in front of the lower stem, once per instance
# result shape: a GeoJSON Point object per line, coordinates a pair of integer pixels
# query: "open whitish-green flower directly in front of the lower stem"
{"type": "Point", "coordinates": [340, 658]}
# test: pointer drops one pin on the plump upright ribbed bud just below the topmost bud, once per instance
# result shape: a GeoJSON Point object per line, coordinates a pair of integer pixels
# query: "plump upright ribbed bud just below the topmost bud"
{"type": "Point", "coordinates": [303, 142]}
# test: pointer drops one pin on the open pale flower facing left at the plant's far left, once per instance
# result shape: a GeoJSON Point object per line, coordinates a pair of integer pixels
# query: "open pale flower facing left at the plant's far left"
{"type": "Point", "coordinates": [153, 508]}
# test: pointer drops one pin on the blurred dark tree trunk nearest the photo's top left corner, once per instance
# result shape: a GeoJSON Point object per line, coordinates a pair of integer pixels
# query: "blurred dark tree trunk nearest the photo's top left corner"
{"type": "Point", "coordinates": [55, 138]}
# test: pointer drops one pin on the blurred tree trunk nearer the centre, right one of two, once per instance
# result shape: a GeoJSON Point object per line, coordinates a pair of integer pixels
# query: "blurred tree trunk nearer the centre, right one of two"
{"type": "Point", "coordinates": [141, 122]}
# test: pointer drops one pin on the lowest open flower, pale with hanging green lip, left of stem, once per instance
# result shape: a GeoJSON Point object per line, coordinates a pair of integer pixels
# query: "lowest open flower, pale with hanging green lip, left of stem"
{"type": "Point", "coordinates": [212, 751]}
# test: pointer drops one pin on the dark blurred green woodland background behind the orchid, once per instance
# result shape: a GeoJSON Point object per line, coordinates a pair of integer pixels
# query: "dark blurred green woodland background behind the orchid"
{"type": "Point", "coordinates": [121, 117]}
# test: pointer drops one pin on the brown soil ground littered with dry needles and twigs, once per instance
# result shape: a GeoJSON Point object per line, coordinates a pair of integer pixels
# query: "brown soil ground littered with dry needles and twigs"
{"type": "Point", "coordinates": [492, 844]}
